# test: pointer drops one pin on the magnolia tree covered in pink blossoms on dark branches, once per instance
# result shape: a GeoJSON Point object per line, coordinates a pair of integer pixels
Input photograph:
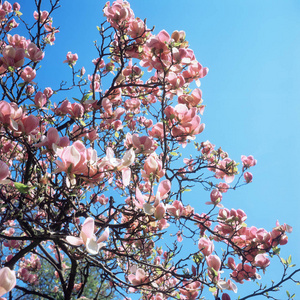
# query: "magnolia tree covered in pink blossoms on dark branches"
{"type": "Point", "coordinates": [90, 187]}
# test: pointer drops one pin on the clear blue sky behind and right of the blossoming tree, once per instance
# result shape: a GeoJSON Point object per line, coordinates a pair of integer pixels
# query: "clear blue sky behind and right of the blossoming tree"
{"type": "Point", "coordinates": [252, 91]}
